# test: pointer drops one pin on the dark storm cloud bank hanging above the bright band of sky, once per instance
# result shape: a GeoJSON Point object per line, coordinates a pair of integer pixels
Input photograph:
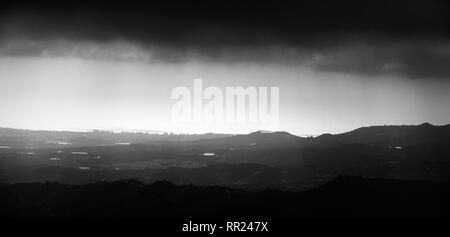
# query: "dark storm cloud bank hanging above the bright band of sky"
{"type": "Point", "coordinates": [368, 37]}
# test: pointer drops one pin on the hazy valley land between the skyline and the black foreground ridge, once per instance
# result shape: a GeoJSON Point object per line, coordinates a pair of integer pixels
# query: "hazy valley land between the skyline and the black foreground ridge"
{"type": "Point", "coordinates": [254, 162]}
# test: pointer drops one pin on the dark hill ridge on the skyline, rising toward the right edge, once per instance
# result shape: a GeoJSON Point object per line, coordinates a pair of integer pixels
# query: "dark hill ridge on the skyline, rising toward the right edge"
{"type": "Point", "coordinates": [387, 135]}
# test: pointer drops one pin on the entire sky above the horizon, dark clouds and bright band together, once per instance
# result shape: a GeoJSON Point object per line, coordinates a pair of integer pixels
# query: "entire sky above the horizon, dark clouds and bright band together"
{"type": "Point", "coordinates": [339, 66]}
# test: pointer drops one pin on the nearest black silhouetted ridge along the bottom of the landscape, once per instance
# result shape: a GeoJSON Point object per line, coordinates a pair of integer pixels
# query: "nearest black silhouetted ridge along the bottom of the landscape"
{"type": "Point", "coordinates": [343, 196]}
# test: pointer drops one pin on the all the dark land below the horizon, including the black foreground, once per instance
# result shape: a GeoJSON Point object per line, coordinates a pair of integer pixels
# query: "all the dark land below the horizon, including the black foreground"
{"type": "Point", "coordinates": [248, 166]}
